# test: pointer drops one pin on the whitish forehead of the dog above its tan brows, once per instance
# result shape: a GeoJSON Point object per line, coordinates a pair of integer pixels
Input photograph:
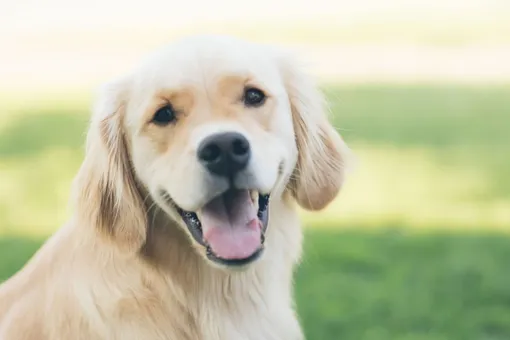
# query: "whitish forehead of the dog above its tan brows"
{"type": "Point", "coordinates": [201, 61]}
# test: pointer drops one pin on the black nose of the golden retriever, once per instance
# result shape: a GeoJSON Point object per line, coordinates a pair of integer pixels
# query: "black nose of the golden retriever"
{"type": "Point", "coordinates": [224, 154]}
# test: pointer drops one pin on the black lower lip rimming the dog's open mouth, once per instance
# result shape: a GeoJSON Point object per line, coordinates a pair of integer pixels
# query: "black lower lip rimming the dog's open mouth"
{"type": "Point", "coordinates": [194, 227]}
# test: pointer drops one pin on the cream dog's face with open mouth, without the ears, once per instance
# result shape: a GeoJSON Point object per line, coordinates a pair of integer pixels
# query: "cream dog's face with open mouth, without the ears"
{"type": "Point", "coordinates": [211, 133]}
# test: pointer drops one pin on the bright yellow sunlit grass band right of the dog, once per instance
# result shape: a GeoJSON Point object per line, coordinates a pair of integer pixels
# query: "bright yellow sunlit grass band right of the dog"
{"type": "Point", "coordinates": [411, 187]}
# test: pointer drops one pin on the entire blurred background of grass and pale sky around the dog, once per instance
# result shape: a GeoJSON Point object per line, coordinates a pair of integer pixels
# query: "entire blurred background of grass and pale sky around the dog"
{"type": "Point", "coordinates": [417, 245]}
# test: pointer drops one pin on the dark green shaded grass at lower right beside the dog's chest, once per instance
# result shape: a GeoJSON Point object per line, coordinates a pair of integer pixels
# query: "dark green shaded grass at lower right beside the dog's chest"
{"type": "Point", "coordinates": [392, 285]}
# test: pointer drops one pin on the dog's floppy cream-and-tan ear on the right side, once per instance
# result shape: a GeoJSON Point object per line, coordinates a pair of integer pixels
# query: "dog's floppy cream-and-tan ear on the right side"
{"type": "Point", "coordinates": [320, 169]}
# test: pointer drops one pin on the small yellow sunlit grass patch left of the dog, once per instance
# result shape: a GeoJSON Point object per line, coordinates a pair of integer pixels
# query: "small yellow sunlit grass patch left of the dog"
{"type": "Point", "coordinates": [34, 193]}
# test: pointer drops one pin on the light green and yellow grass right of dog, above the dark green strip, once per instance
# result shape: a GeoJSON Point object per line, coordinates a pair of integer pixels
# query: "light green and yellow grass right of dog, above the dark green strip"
{"type": "Point", "coordinates": [426, 156]}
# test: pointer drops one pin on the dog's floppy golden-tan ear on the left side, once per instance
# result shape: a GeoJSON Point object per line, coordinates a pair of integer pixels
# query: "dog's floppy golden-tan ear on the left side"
{"type": "Point", "coordinates": [106, 192]}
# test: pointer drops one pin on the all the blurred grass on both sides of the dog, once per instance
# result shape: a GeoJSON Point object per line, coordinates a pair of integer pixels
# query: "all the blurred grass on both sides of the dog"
{"type": "Point", "coordinates": [416, 247]}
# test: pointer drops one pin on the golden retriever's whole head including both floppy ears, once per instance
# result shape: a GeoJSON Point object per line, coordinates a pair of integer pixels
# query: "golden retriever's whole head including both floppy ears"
{"type": "Point", "coordinates": [210, 129]}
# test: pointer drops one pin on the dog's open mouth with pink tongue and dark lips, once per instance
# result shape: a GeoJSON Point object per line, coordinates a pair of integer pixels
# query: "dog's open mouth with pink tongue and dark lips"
{"type": "Point", "coordinates": [231, 226]}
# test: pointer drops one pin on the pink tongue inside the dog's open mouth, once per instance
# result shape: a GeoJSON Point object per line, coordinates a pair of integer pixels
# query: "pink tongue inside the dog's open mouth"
{"type": "Point", "coordinates": [230, 225]}
